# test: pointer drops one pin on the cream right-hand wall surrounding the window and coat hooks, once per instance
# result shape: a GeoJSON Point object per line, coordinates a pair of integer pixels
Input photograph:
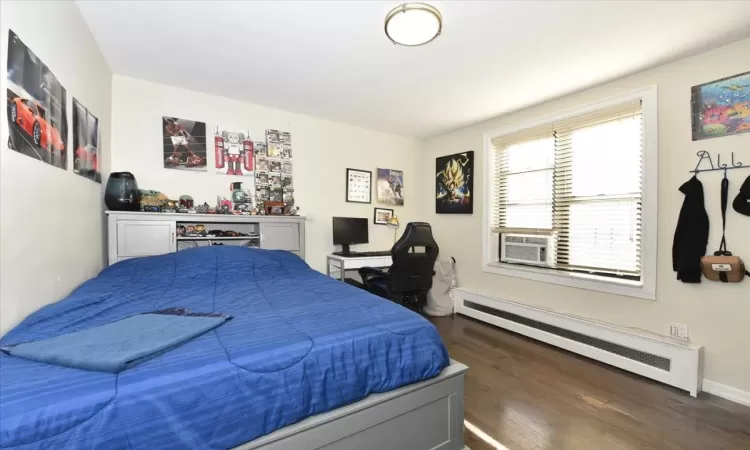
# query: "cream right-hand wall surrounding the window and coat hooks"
{"type": "Point", "coordinates": [717, 314]}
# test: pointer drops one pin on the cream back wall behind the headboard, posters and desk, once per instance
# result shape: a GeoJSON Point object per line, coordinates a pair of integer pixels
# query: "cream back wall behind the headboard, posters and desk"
{"type": "Point", "coordinates": [322, 150]}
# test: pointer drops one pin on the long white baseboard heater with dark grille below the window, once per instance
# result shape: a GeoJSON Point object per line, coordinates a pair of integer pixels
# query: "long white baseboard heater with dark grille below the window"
{"type": "Point", "coordinates": [657, 357]}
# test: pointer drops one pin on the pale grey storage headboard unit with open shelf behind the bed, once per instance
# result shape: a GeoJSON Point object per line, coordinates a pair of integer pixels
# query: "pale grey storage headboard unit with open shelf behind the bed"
{"type": "Point", "coordinates": [135, 234]}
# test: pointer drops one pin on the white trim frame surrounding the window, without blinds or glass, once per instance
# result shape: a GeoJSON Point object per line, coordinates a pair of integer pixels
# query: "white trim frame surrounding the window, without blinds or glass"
{"type": "Point", "coordinates": [647, 288]}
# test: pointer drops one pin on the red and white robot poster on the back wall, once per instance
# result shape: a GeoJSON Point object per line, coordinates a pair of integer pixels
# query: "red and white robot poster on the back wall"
{"type": "Point", "coordinates": [235, 152]}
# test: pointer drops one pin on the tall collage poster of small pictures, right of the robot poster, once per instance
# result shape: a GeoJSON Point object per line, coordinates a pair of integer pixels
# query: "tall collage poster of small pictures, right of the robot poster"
{"type": "Point", "coordinates": [274, 168]}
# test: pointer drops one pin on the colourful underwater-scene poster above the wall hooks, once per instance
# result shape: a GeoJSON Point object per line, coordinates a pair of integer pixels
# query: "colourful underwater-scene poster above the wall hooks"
{"type": "Point", "coordinates": [721, 107]}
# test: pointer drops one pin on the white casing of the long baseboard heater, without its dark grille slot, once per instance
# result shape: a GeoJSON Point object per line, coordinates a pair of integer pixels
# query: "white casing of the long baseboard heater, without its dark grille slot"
{"type": "Point", "coordinates": [685, 358]}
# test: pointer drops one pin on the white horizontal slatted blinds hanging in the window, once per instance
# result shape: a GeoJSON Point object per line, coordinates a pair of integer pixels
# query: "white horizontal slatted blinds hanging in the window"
{"type": "Point", "coordinates": [579, 181]}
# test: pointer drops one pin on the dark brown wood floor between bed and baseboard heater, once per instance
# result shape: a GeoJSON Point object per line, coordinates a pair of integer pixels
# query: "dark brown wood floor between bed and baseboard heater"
{"type": "Point", "coordinates": [528, 395]}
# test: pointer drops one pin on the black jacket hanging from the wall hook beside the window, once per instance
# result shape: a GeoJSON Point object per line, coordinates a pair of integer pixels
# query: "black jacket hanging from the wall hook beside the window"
{"type": "Point", "coordinates": [691, 235]}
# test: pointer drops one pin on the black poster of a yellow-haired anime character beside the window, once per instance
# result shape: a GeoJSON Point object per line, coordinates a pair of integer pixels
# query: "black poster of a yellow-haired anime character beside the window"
{"type": "Point", "coordinates": [454, 183]}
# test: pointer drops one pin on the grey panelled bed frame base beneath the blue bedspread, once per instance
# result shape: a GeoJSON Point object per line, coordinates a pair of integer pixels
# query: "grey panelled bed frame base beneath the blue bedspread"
{"type": "Point", "coordinates": [420, 416]}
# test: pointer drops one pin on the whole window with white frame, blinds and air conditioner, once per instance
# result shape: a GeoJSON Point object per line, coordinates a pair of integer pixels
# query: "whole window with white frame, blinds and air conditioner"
{"type": "Point", "coordinates": [577, 184]}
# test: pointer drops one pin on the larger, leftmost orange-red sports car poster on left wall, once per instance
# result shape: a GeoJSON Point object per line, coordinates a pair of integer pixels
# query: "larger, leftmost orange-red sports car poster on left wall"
{"type": "Point", "coordinates": [37, 115]}
